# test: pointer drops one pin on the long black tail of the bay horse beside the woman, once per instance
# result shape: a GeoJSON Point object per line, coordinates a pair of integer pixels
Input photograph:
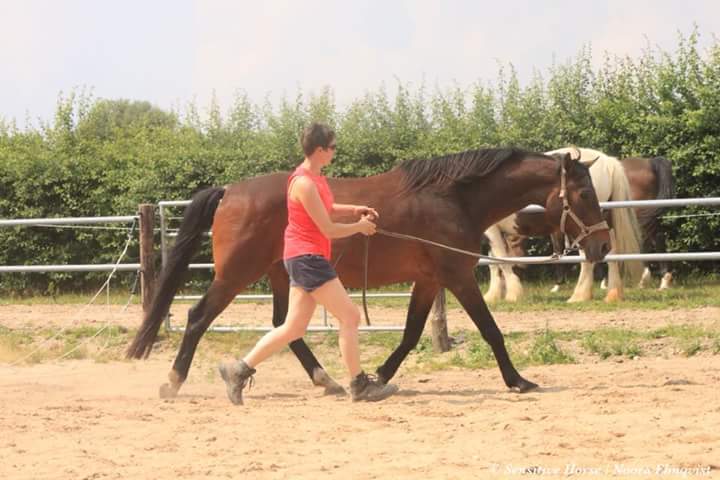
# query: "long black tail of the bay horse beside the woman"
{"type": "Point", "coordinates": [197, 220]}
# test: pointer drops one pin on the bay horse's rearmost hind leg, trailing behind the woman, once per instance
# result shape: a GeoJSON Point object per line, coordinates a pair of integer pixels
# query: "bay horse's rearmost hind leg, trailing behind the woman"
{"type": "Point", "coordinates": [200, 316]}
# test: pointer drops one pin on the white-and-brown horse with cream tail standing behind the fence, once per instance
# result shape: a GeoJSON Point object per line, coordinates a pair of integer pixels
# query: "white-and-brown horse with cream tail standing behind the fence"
{"type": "Point", "coordinates": [610, 183]}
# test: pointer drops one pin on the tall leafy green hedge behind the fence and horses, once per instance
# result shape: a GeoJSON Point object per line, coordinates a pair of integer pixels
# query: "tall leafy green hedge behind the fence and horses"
{"type": "Point", "coordinates": [104, 157]}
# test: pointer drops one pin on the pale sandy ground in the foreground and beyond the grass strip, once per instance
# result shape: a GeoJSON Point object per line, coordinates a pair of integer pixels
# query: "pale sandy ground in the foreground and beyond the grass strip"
{"type": "Point", "coordinates": [647, 418]}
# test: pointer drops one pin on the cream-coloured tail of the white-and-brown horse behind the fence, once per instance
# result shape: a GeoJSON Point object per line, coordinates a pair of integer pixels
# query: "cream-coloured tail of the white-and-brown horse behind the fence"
{"type": "Point", "coordinates": [628, 236]}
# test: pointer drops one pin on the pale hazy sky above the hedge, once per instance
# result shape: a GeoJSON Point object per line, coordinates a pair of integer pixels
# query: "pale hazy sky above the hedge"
{"type": "Point", "coordinates": [174, 52]}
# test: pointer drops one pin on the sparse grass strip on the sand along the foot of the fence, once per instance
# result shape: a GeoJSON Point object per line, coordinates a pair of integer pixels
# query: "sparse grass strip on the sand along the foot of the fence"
{"type": "Point", "coordinates": [469, 351]}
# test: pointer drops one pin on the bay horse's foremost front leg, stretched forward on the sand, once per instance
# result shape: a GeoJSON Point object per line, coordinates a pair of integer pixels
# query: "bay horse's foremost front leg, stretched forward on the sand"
{"type": "Point", "coordinates": [466, 291]}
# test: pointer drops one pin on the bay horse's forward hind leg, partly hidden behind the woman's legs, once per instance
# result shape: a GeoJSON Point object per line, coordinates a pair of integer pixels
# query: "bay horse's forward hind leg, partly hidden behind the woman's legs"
{"type": "Point", "coordinates": [280, 284]}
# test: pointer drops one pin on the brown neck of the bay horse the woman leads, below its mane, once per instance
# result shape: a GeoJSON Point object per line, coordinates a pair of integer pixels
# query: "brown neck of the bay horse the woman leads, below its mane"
{"type": "Point", "coordinates": [513, 187]}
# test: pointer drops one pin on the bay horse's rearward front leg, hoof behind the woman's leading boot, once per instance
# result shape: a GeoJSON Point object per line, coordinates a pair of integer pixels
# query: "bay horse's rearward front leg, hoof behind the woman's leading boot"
{"type": "Point", "coordinates": [421, 301]}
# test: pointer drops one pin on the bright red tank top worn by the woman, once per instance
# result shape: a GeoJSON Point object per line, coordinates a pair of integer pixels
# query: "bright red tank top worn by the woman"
{"type": "Point", "coordinates": [302, 236]}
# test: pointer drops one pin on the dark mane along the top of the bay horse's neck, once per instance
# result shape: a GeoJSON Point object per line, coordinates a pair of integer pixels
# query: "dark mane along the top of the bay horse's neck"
{"type": "Point", "coordinates": [456, 168]}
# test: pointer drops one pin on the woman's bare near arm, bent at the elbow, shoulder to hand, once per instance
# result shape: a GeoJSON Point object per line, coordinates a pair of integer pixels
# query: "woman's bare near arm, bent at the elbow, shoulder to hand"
{"type": "Point", "coordinates": [304, 191]}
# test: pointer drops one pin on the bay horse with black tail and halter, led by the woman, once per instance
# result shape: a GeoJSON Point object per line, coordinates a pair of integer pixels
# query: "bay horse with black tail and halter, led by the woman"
{"type": "Point", "coordinates": [450, 199]}
